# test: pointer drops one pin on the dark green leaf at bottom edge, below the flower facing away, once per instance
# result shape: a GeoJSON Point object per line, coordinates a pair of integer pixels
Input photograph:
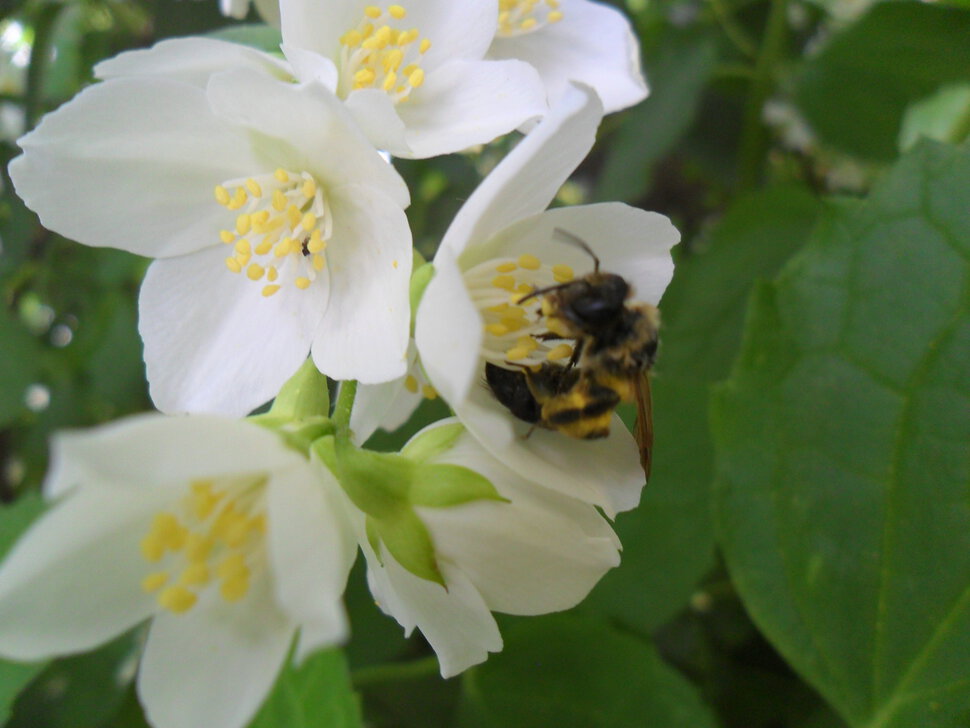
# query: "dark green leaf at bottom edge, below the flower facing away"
{"type": "Point", "coordinates": [564, 672]}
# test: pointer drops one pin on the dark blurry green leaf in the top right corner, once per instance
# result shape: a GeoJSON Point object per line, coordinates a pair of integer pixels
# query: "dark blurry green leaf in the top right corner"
{"type": "Point", "coordinates": [855, 91]}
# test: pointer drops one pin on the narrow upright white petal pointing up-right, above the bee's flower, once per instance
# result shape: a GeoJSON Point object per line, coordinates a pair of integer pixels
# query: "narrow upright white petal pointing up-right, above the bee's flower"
{"type": "Point", "coordinates": [527, 180]}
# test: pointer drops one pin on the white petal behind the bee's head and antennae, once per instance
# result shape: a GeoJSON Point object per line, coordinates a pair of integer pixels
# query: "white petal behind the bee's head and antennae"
{"type": "Point", "coordinates": [632, 242]}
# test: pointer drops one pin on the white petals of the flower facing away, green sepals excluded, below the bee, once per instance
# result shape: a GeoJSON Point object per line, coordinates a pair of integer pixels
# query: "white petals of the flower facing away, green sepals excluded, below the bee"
{"type": "Point", "coordinates": [535, 552]}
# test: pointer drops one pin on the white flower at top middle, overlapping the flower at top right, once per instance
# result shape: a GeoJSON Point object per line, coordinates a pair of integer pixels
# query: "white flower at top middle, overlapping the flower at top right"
{"type": "Point", "coordinates": [413, 73]}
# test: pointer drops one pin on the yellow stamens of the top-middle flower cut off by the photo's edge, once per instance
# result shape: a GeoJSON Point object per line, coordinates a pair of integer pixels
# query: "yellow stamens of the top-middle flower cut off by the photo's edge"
{"type": "Point", "coordinates": [379, 53]}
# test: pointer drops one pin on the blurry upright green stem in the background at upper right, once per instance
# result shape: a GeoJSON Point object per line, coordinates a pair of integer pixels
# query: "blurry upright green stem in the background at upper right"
{"type": "Point", "coordinates": [753, 134]}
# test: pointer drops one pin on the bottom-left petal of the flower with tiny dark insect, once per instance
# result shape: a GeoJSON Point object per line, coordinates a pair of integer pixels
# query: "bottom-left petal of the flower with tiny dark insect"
{"type": "Point", "coordinates": [213, 342]}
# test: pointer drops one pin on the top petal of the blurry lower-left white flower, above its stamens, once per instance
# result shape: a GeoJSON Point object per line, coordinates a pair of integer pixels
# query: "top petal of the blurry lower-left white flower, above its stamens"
{"type": "Point", "coordinates": [148, 451]}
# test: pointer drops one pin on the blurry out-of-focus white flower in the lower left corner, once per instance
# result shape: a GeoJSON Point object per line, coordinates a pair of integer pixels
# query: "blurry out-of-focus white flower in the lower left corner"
{"type": "Point", "coordinates": [229, 541]}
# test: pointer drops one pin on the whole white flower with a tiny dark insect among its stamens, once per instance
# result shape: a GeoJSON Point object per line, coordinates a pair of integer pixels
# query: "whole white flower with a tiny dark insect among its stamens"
{"type": "Point", "coordinates": [304, 247]}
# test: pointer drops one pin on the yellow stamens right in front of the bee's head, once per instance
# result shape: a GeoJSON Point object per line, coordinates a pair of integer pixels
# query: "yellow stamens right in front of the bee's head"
{"type": "Point", "coordinates": [517, 332]}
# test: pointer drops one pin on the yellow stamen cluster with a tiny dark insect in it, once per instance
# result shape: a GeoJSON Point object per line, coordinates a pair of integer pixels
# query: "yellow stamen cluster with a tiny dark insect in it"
{"type": "Point", "coordinates": [282, 226]}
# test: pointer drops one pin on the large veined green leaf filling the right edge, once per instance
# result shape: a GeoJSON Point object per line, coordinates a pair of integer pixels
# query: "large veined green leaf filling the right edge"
{"type": "Point", "coordinates": [842, 453]}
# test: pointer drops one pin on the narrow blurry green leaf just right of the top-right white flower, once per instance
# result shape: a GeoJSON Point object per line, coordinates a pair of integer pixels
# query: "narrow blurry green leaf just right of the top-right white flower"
{"type": "Point", "coordinates": [678, 76]}
